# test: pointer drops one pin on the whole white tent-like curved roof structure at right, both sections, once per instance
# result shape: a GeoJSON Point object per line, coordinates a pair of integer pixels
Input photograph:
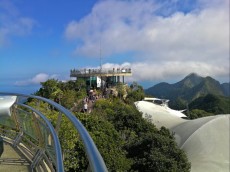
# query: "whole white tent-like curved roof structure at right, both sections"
{"type": "Point", "coordinates": [206, 140]}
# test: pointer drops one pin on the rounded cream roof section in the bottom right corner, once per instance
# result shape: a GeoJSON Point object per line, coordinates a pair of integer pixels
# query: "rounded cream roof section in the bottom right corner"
{"type": "Point", "coordinates": [206, 142]}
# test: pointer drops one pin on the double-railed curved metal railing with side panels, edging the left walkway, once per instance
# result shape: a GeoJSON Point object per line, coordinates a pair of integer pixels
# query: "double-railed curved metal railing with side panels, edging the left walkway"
{"type": "Point", "coordinates": [49, 145]}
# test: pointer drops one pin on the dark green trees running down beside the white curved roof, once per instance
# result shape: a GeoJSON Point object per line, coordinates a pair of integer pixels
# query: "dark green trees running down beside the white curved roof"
{"type": "Point", "coordinates": [150, 149]}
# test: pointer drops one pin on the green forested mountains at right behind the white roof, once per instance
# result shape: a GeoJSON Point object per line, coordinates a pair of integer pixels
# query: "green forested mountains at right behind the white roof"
{"type": "Point", "coordinates": [204, 96]}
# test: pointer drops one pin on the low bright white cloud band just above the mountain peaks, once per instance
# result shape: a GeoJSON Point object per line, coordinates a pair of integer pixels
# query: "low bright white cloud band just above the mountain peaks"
{"type": "Point", "coordinates": [170, 70]}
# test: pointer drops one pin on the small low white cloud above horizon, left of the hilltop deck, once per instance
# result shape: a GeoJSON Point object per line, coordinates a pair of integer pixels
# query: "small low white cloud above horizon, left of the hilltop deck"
{"type": "Point", "coordinates": [36, 80]}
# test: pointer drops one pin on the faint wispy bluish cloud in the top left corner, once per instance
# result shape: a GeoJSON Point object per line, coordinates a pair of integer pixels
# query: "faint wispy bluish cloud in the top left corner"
{"type": "Point", "coordinates": [12, 23]}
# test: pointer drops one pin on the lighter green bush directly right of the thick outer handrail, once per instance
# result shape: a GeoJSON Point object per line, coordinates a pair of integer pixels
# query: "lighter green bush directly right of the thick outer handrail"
{"type": "Point", "coordinates": [108, 141]}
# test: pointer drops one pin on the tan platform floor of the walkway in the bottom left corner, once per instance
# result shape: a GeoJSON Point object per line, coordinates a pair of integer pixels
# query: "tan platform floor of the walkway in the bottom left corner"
{"type": "Point", "coordinates": [13, 161]}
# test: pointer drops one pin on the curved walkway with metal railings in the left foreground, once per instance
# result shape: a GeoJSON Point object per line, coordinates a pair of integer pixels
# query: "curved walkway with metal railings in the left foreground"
{"type": "Point", "coordinates": [30, 140]}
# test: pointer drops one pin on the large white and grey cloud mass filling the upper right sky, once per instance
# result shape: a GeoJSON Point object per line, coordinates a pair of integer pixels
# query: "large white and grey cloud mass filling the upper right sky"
{"type": "Point", "coordinates": [164, 46]}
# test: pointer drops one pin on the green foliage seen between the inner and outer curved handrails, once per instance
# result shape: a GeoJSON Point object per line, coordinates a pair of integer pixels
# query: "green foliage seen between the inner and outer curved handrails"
{"type": "Point", "coordinates": [69, 138]}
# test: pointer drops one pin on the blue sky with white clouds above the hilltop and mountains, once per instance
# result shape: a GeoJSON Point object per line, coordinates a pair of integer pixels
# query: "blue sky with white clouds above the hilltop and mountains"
{"type": "Point", "coordinates": [160, 40]}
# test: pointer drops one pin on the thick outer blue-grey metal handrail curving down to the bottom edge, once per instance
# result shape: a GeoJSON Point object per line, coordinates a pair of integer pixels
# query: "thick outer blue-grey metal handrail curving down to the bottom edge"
{"type": "Point", "coordinates": [95, 159]}
